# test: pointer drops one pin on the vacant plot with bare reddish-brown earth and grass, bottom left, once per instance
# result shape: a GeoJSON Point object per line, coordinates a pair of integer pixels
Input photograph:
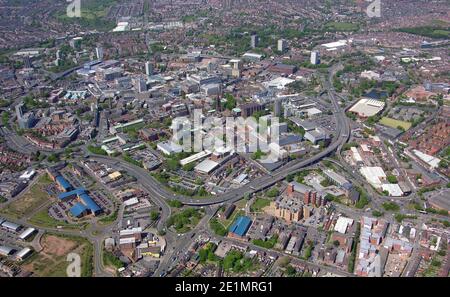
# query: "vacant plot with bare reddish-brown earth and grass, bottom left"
{"type": "Point", "coordinates": [52, 260]}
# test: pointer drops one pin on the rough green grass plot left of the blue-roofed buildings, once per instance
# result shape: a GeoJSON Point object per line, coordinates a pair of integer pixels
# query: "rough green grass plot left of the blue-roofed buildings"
{"type": "Point", "coordinates": [35, 197]}
